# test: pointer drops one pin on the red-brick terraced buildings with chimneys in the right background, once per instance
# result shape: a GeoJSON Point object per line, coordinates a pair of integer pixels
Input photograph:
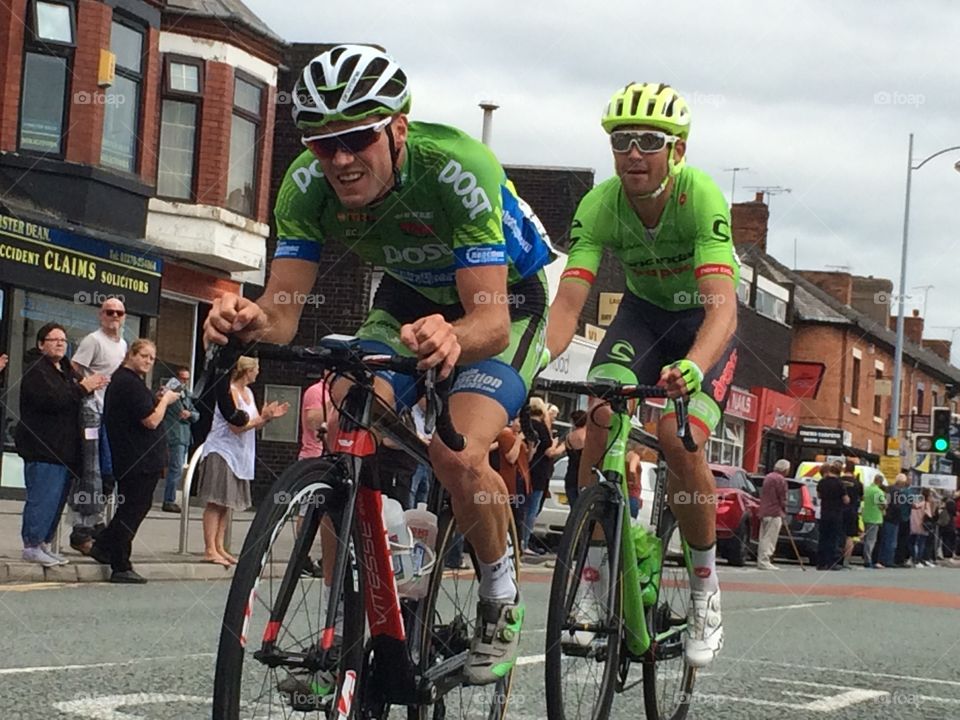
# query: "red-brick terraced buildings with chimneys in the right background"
{"type": "Point", "coordinates": [839, 321]}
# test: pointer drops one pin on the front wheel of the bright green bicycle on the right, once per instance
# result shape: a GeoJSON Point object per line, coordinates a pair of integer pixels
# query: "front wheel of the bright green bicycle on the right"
{"type": "Point", "coordinates": [584, 620]}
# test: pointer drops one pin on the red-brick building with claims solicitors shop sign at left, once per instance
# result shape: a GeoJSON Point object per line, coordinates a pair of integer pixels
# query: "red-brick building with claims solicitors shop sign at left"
{"type": "Point", "coordinates": [133, 163]}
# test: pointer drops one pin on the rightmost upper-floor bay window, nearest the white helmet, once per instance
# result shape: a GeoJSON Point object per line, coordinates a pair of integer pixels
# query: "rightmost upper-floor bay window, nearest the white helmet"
{"type": "Point", "coordinates": [244, 146]}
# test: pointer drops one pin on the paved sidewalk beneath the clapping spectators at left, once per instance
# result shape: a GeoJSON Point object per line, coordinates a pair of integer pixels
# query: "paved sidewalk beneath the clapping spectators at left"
{"type": "Point", "coordinates": [155, 550]}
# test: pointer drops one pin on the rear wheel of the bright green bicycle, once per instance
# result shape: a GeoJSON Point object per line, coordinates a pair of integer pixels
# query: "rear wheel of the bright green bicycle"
{"type": "Point", "coordinates": [668, 681]}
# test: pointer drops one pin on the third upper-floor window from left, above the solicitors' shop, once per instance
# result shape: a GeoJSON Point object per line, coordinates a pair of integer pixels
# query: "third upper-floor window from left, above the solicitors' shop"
{"type": "Point", "coordinates": [182, 88]}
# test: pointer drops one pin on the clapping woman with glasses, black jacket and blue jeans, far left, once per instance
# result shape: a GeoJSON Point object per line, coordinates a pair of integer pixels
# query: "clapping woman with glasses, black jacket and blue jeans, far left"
{"type": "Point", "coordinates": [48, 438]}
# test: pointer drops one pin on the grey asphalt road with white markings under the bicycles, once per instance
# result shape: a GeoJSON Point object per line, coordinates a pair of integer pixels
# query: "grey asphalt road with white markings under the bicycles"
{"type": "Point", "coordinates": [799, 646]}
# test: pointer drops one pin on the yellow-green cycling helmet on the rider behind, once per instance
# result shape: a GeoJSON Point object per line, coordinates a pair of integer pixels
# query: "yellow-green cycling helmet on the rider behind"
{"type": "Point", "coordinates": [653, 104]}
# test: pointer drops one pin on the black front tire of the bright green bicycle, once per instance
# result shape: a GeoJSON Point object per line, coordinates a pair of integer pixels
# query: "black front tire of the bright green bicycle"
{"type": "Point", "coordinates": [599, 505]}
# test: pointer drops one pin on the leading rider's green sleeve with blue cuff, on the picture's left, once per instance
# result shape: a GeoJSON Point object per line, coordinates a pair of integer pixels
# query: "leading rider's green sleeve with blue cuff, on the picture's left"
{"type": "Point", "coordinates": [297, 211]}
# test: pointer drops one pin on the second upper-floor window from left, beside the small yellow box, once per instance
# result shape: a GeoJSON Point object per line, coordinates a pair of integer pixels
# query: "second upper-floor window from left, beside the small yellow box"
{"type": "Point", "coordinates": [121, 121]}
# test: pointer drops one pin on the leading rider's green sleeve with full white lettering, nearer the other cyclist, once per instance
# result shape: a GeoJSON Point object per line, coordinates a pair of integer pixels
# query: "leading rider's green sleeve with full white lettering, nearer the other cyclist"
{"type": "Point", "coordinates": [469, 184]}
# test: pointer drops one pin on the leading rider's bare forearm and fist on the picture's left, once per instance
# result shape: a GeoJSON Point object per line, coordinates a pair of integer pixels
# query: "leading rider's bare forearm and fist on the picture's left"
{"type": "Point", "coordinates": [275, 316]}
